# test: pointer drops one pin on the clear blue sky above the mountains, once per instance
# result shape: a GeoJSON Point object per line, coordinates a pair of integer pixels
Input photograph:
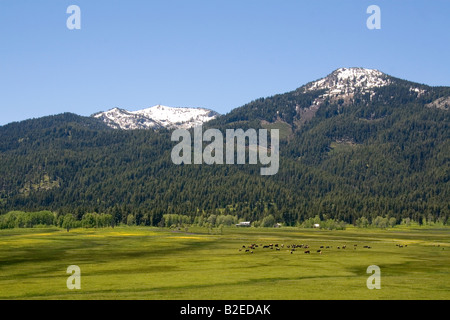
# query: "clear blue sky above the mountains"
{"type": "Point", "coordinates": [217, 54]}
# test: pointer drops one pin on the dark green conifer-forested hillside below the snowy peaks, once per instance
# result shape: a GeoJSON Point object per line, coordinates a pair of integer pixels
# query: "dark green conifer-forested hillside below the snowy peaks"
{"type": "Point", "coordinates": [380, 153]}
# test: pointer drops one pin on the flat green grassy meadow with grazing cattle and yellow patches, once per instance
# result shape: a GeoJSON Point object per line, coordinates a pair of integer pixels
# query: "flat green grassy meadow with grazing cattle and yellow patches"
{"type": "Point", "coordinates": [156, 264]}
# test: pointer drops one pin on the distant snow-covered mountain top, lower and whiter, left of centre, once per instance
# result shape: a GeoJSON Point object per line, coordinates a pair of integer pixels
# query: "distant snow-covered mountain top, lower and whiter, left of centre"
{"type": "Point", "coordinates": [156, 117]}
